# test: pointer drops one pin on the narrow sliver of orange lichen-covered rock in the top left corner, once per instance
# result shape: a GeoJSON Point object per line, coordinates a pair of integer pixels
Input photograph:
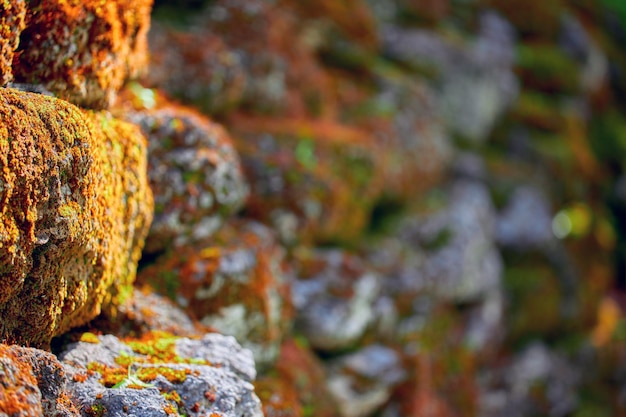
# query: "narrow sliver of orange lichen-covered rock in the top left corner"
{"type": "Point", "coordinates": [12, 14]}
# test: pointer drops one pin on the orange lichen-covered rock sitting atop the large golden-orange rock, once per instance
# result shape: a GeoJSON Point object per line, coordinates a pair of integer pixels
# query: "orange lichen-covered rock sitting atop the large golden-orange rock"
{"type": "Point", "coordinates": [83, 51]}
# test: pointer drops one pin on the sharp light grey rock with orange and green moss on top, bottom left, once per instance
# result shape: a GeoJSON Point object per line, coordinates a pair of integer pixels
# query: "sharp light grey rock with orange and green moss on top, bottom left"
{"type": "Point", "coordinates": [159, 375]}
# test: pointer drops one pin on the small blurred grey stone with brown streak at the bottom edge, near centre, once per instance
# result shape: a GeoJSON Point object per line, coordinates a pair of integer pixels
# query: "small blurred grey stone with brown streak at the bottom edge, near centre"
{"type": "Point", "coordinates": [363, 381]}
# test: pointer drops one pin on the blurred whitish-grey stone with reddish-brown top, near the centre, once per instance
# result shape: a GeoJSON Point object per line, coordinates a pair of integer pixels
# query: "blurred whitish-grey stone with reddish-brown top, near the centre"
{"type": "Point", "coordinates": [334, 296]}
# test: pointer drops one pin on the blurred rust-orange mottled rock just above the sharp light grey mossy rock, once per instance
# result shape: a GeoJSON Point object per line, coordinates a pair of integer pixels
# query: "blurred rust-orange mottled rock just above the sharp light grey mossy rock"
{"type": "Point", "coordinates": [233, 282]}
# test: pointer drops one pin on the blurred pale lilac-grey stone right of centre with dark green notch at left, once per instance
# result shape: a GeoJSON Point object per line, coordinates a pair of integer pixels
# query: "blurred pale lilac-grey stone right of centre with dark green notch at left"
{"type": "Point", "coordinates": [460, 260]}
